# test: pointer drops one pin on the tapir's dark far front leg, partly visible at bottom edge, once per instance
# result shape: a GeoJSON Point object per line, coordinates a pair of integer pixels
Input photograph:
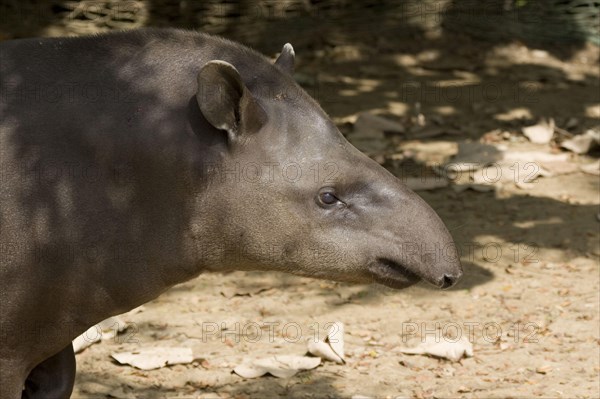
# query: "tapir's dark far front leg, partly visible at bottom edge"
{"type": "Point", "coordinates": [52, 378]}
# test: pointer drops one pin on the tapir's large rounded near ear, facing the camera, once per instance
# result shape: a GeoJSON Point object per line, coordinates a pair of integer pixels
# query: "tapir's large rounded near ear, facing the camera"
{"type": "Point", "coordinates": [226, 102]}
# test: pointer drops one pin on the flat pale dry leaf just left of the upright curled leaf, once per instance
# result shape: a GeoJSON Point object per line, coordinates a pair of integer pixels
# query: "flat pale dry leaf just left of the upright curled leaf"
{"type": "Point", "coordinates": [284, 366]}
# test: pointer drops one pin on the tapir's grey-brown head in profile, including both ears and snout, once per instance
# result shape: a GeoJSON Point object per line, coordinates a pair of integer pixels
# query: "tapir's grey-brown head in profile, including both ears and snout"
{"type": "Point", "coordinates": [294, 195]}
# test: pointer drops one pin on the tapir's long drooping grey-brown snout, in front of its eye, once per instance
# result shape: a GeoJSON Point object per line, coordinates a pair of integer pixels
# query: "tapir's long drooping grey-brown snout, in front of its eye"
{"type": "Point", "coordinates": [404, 239]}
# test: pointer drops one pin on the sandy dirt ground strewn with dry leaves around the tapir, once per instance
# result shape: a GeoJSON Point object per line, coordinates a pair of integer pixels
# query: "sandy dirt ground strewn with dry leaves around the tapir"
{"type": "Point", "coordinates": [529, 300]}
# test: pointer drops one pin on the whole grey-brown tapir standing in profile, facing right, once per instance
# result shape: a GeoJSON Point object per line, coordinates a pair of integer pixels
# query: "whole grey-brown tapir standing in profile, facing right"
{"type": "Point", "coordinates": [134, 161]}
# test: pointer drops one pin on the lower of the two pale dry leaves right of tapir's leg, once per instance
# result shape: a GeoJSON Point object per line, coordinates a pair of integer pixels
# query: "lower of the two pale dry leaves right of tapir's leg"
{"type": "Point", "coordinates": [154, 358]}
